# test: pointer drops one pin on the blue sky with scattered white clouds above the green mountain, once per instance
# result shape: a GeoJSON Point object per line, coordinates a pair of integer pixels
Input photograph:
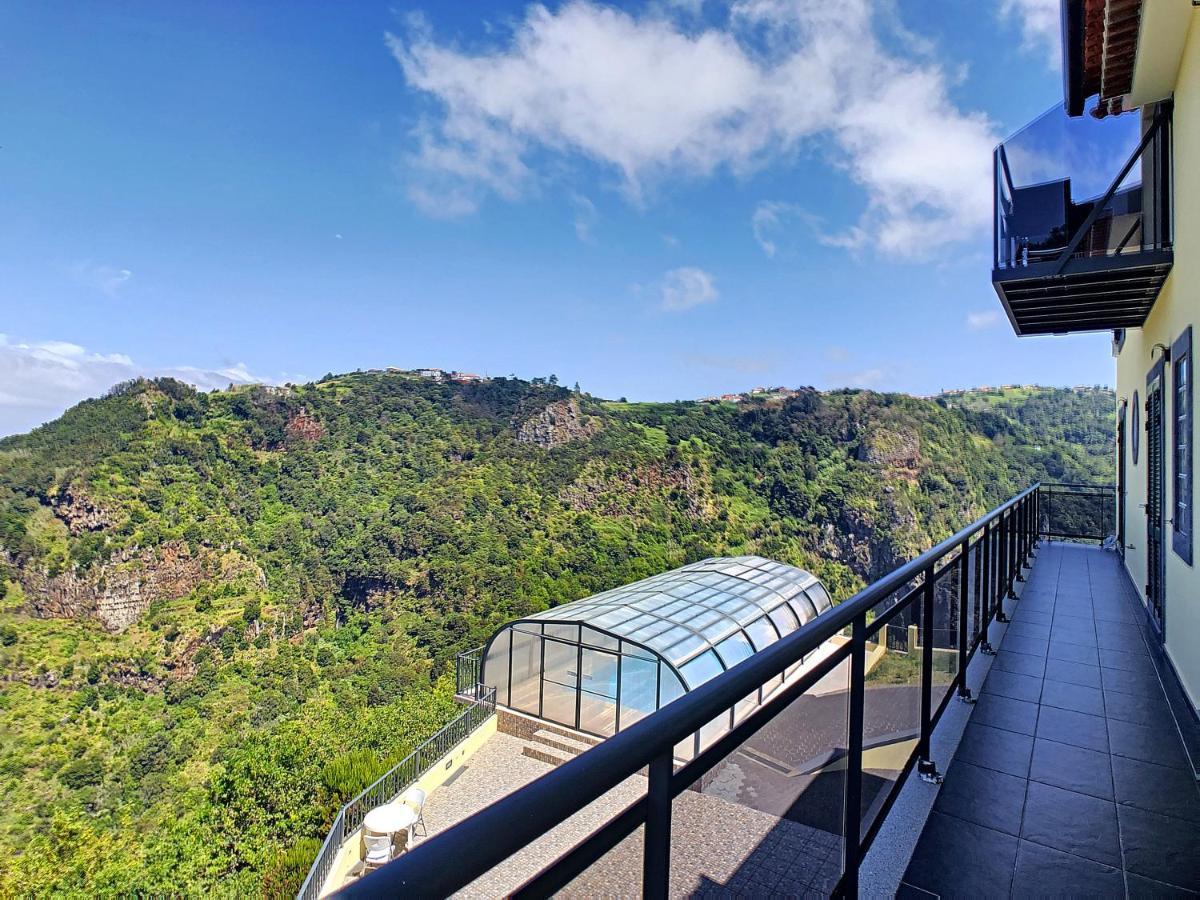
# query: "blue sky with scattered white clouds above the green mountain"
{"type": "Point", "coordinates": [661, 200]}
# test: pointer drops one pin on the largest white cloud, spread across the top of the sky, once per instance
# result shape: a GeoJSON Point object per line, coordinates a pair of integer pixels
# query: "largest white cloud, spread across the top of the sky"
{"type": "Point", "coordinates": [655, 100]}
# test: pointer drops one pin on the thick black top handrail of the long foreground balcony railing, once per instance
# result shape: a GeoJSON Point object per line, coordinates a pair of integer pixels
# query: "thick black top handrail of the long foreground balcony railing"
{"type": "Point", "coordinates": [502, 830]}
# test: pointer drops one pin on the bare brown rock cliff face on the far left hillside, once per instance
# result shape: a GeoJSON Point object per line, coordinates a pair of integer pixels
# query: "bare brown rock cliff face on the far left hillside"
{"type": "Point", "coordinates": [118, 592]}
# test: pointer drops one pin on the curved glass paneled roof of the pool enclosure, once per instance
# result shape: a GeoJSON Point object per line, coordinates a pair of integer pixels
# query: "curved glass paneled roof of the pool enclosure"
{"type": "Point", "coordinates": [705, 617]}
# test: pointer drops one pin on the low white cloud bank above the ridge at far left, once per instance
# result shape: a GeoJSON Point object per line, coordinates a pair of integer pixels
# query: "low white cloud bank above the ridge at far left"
{"type": "Point", "coordinates": [39, 381]}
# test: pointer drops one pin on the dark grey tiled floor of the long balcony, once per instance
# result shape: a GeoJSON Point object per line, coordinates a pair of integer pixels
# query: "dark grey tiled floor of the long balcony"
{"type": "Point", "coordinates": [1071, 778]}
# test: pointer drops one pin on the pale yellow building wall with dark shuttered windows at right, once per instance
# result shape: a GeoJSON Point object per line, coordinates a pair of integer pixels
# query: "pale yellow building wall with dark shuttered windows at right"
{"type": "Point", "coordinates": [1177, 308]}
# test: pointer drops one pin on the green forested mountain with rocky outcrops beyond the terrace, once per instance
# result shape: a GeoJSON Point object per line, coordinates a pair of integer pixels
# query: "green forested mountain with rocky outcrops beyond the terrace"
{"type": "Point", "coordinates": [225, 614]}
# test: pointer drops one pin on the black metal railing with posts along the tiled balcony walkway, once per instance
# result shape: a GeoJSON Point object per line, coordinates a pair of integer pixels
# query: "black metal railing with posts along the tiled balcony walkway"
{"type": "Point", "coordinates": [965, 579]}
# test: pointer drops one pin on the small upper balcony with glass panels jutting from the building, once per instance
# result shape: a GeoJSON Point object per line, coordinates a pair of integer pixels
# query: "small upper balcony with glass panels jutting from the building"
{"type": "Point", "coordinates": [1083, 221]}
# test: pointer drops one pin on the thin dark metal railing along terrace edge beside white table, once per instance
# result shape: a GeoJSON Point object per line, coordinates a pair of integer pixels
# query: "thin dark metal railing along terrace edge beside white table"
{"type": "Point", "coordinates": [400, 777]}
